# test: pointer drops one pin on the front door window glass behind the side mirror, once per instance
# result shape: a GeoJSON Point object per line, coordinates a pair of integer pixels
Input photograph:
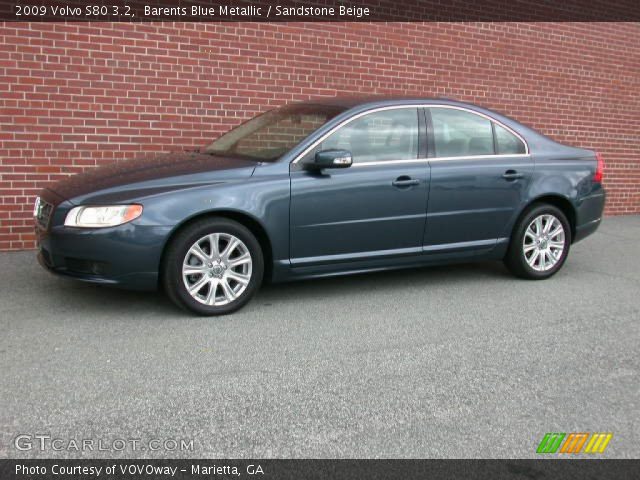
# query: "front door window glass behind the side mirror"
{"type": "Point", "coordinates": [385, 135]}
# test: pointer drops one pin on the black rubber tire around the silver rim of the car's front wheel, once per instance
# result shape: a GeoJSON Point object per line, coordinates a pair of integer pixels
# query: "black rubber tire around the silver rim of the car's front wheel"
{"type": "Point", "coordinates": [172, 278]}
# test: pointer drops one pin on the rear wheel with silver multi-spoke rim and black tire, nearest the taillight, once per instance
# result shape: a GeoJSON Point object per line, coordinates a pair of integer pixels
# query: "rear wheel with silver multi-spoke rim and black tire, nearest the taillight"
{"type": "Point", "coordinates": [540, 243]}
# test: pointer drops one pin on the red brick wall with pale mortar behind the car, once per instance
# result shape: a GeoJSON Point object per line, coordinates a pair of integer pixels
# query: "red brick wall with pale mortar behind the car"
{"type": "Point", "coordinates": [77, 95]}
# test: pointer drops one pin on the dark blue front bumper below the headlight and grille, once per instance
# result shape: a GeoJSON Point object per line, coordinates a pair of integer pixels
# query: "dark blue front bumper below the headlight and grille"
{"type": "Point", "coordinates": [127, 256]}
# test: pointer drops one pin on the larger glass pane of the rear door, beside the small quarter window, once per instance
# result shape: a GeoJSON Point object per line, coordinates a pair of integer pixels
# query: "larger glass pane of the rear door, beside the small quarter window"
{"type": "Point", "coordinates": [459, 133]}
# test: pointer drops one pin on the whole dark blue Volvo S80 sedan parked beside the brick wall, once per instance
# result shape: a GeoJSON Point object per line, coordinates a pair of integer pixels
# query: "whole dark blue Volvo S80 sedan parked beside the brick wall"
{"type": "Point", "coordinates": [325, 187]}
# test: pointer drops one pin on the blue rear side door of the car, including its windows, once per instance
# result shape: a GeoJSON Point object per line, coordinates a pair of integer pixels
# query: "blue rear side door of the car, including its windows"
{"type": "Point", "coordinates": [479, 173]}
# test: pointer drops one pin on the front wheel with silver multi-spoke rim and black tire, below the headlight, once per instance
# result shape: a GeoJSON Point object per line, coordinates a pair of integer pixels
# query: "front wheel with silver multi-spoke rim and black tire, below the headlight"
{"type": "Point", "coordinates": [213, 267]}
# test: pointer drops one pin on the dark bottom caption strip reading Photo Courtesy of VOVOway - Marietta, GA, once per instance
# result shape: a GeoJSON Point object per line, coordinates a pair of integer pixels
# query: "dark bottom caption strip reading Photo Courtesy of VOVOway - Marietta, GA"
{"type": "Point", "coordinates": [565, 469]}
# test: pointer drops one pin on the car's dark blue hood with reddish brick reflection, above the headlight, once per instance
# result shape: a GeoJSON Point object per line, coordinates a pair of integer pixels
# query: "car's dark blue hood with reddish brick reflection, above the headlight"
{"type": "Point", "coordinates": [153, 173]}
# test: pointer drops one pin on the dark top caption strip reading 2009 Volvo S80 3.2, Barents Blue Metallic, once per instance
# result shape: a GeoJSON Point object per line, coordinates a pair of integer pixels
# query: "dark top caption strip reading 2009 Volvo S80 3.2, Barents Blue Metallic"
{"type": "Point", "coordinates": [317, 10]}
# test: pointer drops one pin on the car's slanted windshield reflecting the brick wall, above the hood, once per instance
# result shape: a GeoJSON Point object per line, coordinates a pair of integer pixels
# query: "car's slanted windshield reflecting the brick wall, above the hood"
{"type": "Point", "coordinates": [269, 136]}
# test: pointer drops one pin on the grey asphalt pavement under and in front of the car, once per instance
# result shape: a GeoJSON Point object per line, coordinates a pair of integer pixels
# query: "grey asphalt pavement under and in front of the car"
{"type": "Point", "coordinates": [460, 361]}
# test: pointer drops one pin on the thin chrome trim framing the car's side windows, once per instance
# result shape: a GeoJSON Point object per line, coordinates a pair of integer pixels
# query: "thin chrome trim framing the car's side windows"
{"type": "Point", "coordinates": [396, 107]}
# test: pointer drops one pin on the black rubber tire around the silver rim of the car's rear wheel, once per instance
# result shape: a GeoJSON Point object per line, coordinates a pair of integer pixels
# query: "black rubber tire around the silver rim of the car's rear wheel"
{"type": "Point", "coordinates": [515, 259]}
